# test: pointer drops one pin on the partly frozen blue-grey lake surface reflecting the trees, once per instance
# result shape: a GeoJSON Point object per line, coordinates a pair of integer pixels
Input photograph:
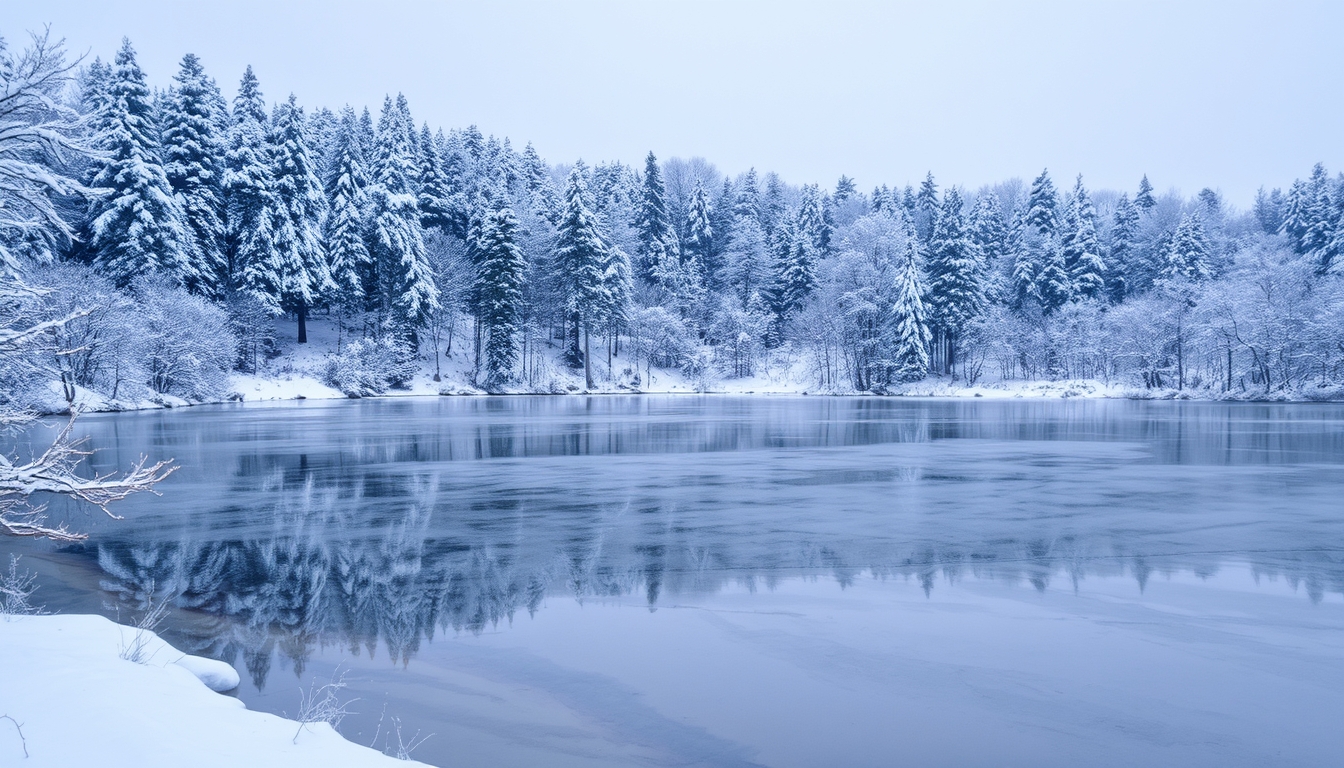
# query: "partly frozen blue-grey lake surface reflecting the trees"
{"type": "Point", "coordinates": [780, 582]}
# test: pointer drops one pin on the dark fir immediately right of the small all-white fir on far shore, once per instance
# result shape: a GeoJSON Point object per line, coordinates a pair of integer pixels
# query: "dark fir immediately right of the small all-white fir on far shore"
{"type": "Point", "coordinates": [956, 280]}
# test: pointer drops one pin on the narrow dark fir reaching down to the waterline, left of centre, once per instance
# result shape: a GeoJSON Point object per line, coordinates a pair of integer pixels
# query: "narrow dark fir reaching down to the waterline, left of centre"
{"type": "Point", "coordinates": [501, 290]}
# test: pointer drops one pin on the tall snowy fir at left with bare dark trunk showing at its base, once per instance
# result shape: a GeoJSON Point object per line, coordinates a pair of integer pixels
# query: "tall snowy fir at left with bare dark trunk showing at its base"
{"type": "Point", "coordinates": [302, 210]}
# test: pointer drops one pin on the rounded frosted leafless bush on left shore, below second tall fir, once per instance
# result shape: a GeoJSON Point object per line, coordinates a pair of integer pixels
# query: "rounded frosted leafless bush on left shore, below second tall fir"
{"type": "Point", "coordinates": [189, 348]}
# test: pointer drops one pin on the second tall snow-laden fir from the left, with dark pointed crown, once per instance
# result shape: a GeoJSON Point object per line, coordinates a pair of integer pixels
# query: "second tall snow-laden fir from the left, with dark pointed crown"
{"type": "Point", "coordinates": [193, 150]}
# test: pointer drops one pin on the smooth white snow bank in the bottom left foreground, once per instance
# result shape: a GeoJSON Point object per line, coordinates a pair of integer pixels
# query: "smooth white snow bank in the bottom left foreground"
{"type": "Point", "coordinates": [79, 703]}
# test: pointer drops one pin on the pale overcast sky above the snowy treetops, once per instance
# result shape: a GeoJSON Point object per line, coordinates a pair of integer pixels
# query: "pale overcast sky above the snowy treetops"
{"type": "Point", "coordinates": [1224, 95]}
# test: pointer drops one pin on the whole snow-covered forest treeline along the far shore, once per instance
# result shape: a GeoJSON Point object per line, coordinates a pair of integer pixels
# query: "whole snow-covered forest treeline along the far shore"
{"type": "Point", "coordinates": [169, 228]}
